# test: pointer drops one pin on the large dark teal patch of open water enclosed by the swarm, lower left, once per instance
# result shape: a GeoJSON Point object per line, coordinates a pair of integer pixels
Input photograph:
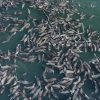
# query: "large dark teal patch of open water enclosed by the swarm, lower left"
{"type": "Point", "coordinates": [31, 69]}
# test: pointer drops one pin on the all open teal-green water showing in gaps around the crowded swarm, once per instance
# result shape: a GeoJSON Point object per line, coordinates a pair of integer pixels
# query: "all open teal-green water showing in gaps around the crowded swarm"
{"type": "Point", "coordinates": [36, 68]}
